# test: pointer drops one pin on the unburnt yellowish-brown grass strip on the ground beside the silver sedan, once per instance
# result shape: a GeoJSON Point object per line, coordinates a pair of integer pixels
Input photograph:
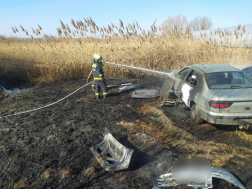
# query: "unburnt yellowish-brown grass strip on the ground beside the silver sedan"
{"type": "Point", "coordinates": [205, 141]}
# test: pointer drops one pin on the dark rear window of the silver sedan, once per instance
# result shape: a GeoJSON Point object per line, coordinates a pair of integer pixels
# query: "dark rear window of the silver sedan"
{"type": "Point", "coordinates": [228, 80]}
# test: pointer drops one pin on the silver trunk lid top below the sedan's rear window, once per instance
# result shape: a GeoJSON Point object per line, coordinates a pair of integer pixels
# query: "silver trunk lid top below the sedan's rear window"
{"type": "Point", "coordinates": [243, 94]}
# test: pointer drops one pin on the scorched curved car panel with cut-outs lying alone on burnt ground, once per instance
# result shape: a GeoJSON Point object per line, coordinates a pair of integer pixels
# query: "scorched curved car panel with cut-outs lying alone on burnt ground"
{"type": "Point", "coordinates": [111, 154]}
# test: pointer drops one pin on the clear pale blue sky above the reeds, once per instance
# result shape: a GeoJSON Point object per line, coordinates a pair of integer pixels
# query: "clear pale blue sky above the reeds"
{"type": "Point", "coordinates": [47, 13]}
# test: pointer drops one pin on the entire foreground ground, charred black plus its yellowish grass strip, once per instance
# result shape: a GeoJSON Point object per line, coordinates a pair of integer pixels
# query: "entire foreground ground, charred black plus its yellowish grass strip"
{"type": "Point", "coordinates": [50, 148]}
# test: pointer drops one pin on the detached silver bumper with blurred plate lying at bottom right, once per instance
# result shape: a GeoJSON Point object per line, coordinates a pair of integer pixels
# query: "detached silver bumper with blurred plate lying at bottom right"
{"type": "Point", "coordinates": [195, 173]}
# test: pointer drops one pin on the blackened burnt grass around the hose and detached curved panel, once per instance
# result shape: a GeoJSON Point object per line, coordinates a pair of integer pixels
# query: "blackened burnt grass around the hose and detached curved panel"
{"type": "Point", "coordinates": [49, 148]}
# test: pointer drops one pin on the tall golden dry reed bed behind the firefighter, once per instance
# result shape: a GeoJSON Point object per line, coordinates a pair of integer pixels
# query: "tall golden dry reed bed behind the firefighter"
{"type": "Point", "coordinates": [49, 59]}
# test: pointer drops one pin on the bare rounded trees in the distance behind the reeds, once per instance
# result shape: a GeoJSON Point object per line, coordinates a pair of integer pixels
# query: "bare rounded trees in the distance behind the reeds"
{"type": "Point", "coordinates": [179, 24]}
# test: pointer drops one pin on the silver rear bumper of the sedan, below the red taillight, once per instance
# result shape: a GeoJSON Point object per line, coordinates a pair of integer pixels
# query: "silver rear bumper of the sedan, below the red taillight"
{"type": "Point", "coordinates": [225, 118]}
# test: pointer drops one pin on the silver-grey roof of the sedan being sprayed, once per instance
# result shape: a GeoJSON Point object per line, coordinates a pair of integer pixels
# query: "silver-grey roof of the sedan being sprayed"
{"type": "Point", "coordinates": [211, 68]}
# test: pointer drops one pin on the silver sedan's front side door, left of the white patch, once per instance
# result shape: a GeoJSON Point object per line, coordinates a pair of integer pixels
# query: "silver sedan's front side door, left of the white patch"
{"type": "Point", "coordinates": [180, 80]}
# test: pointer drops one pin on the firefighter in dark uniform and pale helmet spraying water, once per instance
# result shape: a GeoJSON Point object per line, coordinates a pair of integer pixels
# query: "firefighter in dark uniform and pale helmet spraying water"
{"type": "Point", "coordinates": [98, 75]}
